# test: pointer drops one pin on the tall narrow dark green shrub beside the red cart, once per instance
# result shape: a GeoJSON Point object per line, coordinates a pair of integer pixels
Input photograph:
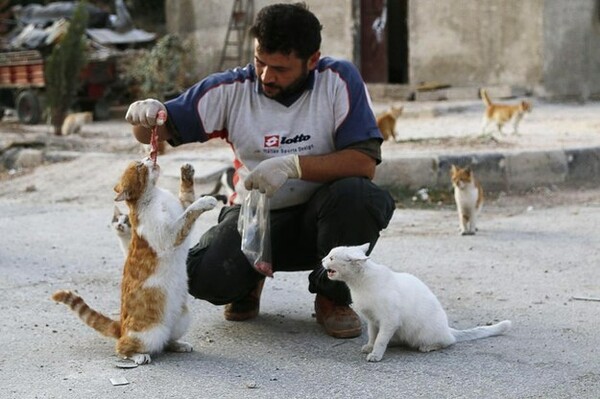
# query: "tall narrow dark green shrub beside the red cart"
{"type": "Point", "coordinates": [63, 68]}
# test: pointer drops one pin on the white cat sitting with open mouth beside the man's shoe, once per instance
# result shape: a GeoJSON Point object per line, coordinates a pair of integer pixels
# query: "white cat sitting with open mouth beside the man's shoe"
{"type": "Point", "coordinates": [398, 307]}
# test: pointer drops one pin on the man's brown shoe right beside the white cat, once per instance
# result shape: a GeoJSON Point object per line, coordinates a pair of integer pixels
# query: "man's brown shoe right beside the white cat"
{"type": "Point", "coordinates": [339, 320]}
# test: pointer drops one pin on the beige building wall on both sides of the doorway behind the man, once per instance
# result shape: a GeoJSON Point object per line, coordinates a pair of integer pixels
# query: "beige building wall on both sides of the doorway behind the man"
{"type": "Point", "coordinates": [547, 46]}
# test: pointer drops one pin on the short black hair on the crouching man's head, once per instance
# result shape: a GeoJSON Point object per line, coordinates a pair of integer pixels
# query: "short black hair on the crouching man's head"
{"type": "Point", "coordinates": [287, 28]}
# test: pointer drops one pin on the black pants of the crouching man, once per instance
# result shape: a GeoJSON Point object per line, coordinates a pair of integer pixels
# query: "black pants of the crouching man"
{"type": "Point", "coordinates": [350, 211]}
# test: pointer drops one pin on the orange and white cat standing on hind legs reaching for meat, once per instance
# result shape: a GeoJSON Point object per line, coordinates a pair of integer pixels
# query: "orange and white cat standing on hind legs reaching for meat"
{"type": "Point", "coordinates": [154, 314]}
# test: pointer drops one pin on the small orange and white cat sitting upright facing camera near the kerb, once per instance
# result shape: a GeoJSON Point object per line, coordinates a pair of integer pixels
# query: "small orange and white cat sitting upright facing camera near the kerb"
{"type": "Point", "coordinates": [468, 195]}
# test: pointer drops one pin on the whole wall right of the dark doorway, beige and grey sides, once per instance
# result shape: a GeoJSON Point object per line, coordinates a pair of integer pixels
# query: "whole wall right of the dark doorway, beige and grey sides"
{"type": "Point", "coordinates": [548, 46]}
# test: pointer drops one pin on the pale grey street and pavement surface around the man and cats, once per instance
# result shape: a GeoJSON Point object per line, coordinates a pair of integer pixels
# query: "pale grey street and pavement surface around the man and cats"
{"type": "Point", "coordinates": [534, 261]}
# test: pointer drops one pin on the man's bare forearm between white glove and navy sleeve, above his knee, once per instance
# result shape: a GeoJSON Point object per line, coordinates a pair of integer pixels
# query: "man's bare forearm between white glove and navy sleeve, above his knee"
{"type": "Point", "coordinates": [339, 164]}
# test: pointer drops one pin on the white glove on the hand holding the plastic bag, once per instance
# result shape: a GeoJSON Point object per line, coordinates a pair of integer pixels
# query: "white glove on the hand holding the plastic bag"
{"type": "Point", "coordinates": [272, 173]}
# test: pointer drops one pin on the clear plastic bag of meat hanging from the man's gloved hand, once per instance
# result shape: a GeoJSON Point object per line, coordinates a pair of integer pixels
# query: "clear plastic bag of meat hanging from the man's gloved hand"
{"type": "Point", "coordinates": [254, 227]}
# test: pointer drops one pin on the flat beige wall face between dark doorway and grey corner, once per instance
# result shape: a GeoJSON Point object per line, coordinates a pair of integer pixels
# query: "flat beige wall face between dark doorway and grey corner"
{"type": "Point", "coordinates": [467, 42]}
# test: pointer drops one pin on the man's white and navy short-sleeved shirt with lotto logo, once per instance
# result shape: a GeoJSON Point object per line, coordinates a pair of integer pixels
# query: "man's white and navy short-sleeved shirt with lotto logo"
{"type": "Point", "coordinates": [332, 113]}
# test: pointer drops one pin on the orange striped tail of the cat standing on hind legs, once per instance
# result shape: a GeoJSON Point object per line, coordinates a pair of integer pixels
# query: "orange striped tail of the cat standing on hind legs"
{"type": "Point", "coordinates": [103, 324]}
